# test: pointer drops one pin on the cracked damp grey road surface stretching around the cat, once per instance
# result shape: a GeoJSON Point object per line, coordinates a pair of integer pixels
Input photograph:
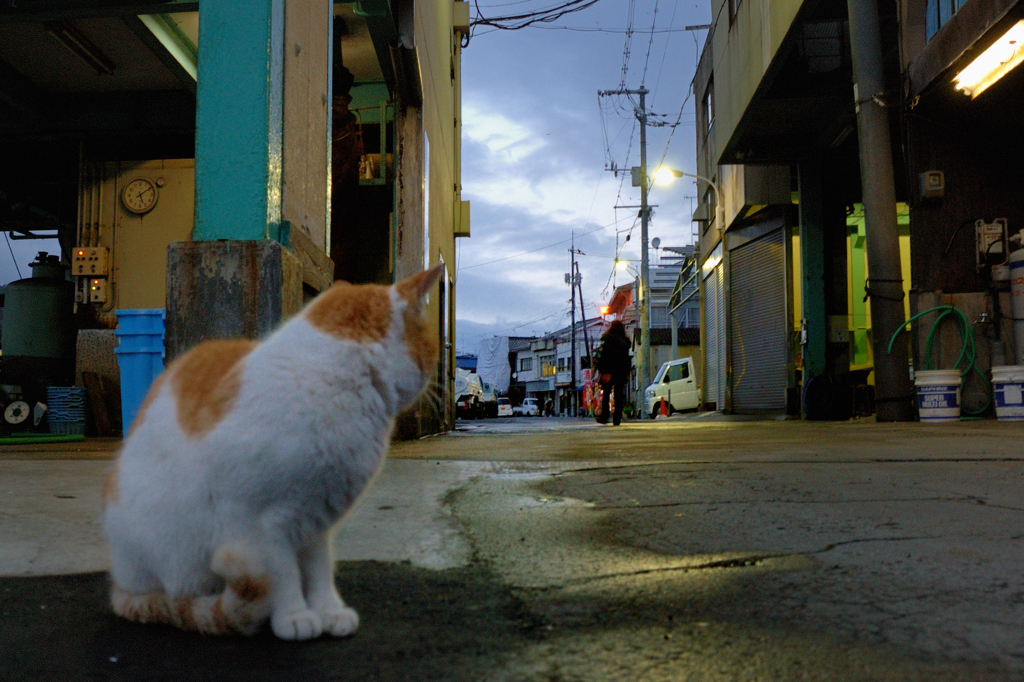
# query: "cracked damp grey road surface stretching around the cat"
{"type": "Point", "coordinates": [558, 550]}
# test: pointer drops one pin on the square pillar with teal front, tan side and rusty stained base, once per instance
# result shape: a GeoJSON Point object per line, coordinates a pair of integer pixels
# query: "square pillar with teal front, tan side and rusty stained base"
{"type": "Point", "coordinates": [238, 278]}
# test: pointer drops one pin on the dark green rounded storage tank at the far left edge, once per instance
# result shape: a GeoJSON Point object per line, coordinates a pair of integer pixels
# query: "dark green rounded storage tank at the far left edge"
{"type": "Point", "coordinates": [39, 327]}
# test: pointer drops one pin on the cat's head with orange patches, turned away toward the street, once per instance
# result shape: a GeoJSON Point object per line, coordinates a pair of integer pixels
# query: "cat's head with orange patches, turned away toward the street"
{"type": "Point", "coordinates": [393, 320]}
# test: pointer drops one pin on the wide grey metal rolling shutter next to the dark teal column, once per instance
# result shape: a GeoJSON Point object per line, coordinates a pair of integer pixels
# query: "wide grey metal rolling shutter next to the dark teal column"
{"type": "Point", "coordinates": [758, 325]}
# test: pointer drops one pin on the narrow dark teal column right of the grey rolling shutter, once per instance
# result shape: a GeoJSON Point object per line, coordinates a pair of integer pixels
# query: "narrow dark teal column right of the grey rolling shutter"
{"type": "Point", "coordinates": [813, 268]}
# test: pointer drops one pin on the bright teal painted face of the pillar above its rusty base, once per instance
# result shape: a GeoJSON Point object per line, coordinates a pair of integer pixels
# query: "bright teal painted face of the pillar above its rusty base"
{"type": "Point", "coordinates": [239, 120]}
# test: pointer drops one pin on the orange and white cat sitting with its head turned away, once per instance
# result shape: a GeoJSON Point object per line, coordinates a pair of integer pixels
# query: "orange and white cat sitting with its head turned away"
{"type": "Point", "coordinates": [245, 455]}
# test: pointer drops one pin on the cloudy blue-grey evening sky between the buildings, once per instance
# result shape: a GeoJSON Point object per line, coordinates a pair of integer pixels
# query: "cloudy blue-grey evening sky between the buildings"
{"type": "Point", "coordinates": [537, 142]}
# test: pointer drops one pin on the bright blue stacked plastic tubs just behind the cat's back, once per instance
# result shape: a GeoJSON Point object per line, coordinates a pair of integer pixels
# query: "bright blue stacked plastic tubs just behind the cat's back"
{"type": "Point", "coordinates": [141, 357]}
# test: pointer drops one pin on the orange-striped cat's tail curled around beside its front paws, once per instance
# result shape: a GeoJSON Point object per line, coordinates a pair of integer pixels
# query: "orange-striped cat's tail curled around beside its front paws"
{"type": "Point", "coordinates": [241, 609]}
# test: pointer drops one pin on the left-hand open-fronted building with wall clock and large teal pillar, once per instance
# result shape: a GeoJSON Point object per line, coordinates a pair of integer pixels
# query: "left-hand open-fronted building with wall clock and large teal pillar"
{"type": "Point", "coordinates": [288, 144]}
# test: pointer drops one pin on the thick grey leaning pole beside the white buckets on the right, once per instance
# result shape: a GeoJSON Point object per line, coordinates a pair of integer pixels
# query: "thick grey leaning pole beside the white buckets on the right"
{"type": "Point", "coordinates": [893, 390]}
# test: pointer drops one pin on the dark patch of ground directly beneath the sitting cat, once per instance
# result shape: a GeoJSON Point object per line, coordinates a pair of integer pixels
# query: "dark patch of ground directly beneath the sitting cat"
{"type": "Point", "coordinates": [416, 624]}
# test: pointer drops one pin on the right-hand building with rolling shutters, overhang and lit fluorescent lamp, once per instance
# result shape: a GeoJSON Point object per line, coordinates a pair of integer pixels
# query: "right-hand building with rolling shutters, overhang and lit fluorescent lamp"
{"type": "Point", "coordinates": [786, 286]}
